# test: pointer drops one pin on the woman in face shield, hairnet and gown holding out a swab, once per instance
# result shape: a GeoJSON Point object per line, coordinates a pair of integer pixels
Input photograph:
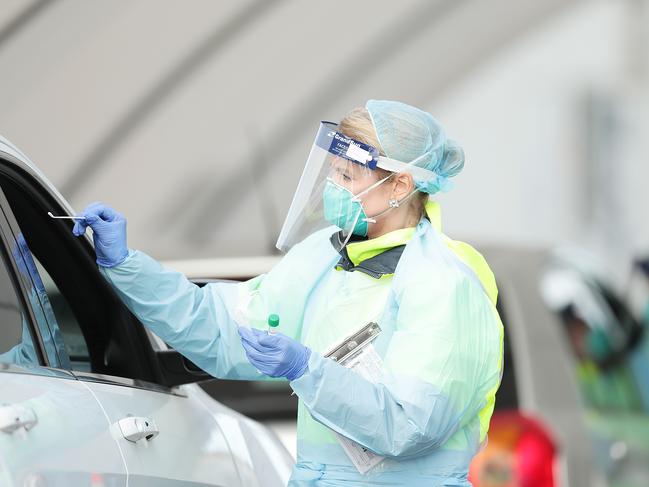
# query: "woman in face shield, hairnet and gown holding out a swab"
{"type": "Point", "coordinates": [364, 245]}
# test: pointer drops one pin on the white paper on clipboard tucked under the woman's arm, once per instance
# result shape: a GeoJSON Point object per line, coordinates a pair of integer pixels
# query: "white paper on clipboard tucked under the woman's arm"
{"type": "Point", "coordinates": [361, 357]}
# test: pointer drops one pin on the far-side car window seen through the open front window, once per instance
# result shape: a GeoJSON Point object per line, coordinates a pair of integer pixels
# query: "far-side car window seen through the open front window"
{"type": "Point", "coordinates": [73, 339]}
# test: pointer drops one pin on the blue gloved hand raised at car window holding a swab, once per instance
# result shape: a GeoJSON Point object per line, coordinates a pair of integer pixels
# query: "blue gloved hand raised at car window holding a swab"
{"type": "Point", "coordinates": [109, 233]}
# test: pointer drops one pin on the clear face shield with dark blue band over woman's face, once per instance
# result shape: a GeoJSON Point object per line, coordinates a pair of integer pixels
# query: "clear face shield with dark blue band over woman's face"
{"type": "Point", "coordinates": [339, 173]}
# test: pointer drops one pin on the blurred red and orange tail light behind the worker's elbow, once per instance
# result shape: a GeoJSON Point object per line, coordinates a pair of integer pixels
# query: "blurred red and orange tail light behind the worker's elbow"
{"type": "Point", "coordinates": [519, 453]}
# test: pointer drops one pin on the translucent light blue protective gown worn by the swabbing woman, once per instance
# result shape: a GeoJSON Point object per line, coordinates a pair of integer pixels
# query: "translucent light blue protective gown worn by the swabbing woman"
{"type": "Point", "coordinates": [441, 348]}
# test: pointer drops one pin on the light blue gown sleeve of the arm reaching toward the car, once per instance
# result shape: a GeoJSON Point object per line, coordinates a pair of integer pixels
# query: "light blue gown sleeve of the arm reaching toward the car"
{"type": "Point", "coordinates": [199, 322]}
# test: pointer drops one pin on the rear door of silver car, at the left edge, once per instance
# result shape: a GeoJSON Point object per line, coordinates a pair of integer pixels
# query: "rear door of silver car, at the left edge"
{"type": "Point", "coordinates": [52, 429]}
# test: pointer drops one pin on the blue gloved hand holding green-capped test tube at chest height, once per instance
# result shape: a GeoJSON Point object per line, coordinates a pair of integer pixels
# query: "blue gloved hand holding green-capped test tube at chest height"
{"type": "Point", "coordinates": [275, 355]}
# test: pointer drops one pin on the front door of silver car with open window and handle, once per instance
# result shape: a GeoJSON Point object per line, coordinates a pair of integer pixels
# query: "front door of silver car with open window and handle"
{"type": "Point", "coordinates": [166, 436]}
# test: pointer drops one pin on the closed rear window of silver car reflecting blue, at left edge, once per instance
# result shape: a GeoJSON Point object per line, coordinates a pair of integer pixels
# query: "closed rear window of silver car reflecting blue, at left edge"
{"type": "Point", "coordinates": [16, 341]}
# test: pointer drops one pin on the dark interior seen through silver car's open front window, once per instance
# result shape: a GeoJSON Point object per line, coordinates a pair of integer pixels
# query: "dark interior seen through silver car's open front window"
{"type": "Point", "coordinates": [101, 336]}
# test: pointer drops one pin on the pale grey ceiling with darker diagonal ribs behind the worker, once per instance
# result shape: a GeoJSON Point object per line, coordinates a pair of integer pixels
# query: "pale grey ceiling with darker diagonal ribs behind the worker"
{"type": "Point", "coordinates": [194, 118]}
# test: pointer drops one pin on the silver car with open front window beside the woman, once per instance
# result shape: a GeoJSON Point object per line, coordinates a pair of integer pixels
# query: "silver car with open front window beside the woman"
{"type": "Point", "coordinates": [88, 396]}
